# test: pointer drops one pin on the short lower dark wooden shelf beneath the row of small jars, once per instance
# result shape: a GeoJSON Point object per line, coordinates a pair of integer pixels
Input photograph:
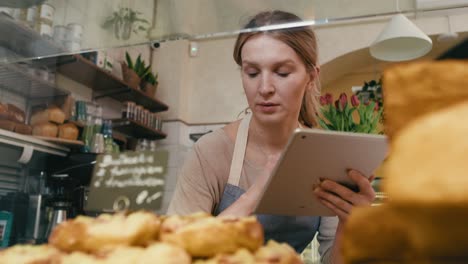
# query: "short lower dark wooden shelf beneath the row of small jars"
{"type": "Point", "coordinates": [135, 129]}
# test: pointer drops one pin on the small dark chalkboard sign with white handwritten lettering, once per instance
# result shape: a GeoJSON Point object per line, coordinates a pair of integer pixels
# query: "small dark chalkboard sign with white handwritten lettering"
{"type": "Point", "coordinates": [128, 181]}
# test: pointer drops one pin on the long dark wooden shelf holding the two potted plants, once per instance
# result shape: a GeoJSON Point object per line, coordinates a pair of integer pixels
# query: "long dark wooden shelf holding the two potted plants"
{"type": "Point", "coordinates": [103, 83]}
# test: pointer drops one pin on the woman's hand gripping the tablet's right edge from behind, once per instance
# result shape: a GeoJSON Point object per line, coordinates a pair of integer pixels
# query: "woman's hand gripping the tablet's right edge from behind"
{"type": "Point", "coordinates": [341, 199]}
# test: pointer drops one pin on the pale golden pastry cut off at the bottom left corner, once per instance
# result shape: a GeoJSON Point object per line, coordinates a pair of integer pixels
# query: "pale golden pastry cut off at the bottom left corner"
{"type": "Point", "coordinates": [30, 254]}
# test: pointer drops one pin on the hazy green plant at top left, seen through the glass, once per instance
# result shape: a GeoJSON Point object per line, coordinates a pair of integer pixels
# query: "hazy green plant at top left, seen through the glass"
{"type": "Point", "coordinates": [124, 22]}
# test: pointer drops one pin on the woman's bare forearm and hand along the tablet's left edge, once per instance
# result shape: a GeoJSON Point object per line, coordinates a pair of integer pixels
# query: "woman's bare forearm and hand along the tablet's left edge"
{"type": "Point", "coordinates": [245, 205]}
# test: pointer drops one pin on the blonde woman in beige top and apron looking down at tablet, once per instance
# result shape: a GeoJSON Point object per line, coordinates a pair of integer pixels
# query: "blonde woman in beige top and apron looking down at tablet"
{"type": "Point", "coordinates": [227, 170]}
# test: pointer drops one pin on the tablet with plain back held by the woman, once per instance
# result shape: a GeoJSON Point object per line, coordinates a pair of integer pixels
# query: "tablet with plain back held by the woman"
{"type": "Point", "coordinates": [312, 154]}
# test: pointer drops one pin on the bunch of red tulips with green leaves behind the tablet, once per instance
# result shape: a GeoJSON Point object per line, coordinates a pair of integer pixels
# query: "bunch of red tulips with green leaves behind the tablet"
{"type": "Point", "coordinates": [339, 115]}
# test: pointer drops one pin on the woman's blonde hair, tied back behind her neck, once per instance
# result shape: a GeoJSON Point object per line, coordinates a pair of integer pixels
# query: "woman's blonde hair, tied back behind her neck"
{"type": "Point", "coordinates": [302, 40]}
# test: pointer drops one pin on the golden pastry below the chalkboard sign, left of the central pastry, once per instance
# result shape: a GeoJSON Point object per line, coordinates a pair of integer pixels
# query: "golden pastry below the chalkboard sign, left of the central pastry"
{"type": "Point", "coordinates": [105, 232]}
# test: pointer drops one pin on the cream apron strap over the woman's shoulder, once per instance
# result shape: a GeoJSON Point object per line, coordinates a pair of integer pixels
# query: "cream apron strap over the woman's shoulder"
{"type": "Point", "coordinates": [239, 151]}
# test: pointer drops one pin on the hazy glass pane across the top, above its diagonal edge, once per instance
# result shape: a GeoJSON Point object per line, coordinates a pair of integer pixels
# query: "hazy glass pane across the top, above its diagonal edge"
{"type": "Point", "coordinates": [57, 27]}
